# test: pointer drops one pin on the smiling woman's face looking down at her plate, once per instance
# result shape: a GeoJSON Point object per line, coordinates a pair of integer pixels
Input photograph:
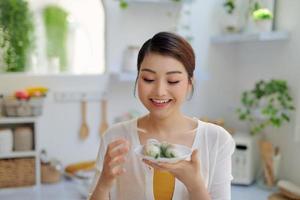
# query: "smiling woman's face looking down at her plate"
{"type": "Point", "coordinates": [163, 85]}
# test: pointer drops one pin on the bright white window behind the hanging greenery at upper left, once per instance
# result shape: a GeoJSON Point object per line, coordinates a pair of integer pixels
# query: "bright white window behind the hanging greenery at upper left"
{"type": "Point", "coordinates": [85, 38]}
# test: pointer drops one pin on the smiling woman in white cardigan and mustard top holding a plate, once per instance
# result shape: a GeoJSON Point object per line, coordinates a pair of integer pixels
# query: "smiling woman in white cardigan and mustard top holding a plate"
{"type": "Point", "coordinates": [165, 69]}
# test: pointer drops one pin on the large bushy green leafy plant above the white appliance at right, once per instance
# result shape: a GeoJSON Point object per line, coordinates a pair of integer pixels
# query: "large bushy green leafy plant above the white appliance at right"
{"type": "Point", "coordinates": [268, 104]}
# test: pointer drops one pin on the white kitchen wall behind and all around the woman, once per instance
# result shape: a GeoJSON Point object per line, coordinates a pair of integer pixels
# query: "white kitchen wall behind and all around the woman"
{"type": "Point", "coordinates": [224, 71]}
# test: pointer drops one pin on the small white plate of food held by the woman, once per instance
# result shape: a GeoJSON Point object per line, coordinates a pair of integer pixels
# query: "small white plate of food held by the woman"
{"type": "Point", "coordinates": [184, 151]}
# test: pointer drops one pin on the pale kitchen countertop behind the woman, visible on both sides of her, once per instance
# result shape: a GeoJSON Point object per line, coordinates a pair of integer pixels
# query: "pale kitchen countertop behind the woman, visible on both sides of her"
{"type": "Point", "coordinates": [69, 190]}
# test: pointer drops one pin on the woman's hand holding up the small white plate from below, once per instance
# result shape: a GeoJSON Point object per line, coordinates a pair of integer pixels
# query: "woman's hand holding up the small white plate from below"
{"type": "Point", "coordinates": [188, 172]}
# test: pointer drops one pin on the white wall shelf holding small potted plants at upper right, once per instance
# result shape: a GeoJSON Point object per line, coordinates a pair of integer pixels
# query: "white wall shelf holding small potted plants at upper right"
{"type": "Point", "coordinates": [250, 37]}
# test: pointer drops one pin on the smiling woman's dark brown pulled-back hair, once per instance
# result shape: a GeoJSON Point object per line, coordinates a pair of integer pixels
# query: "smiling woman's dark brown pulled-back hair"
{"type": "Point", "coordinates": [169, 44]}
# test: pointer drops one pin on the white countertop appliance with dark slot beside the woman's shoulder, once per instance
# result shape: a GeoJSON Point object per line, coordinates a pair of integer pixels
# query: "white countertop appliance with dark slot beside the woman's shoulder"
{"type": "Point", "coordinates": [245, 159]}
